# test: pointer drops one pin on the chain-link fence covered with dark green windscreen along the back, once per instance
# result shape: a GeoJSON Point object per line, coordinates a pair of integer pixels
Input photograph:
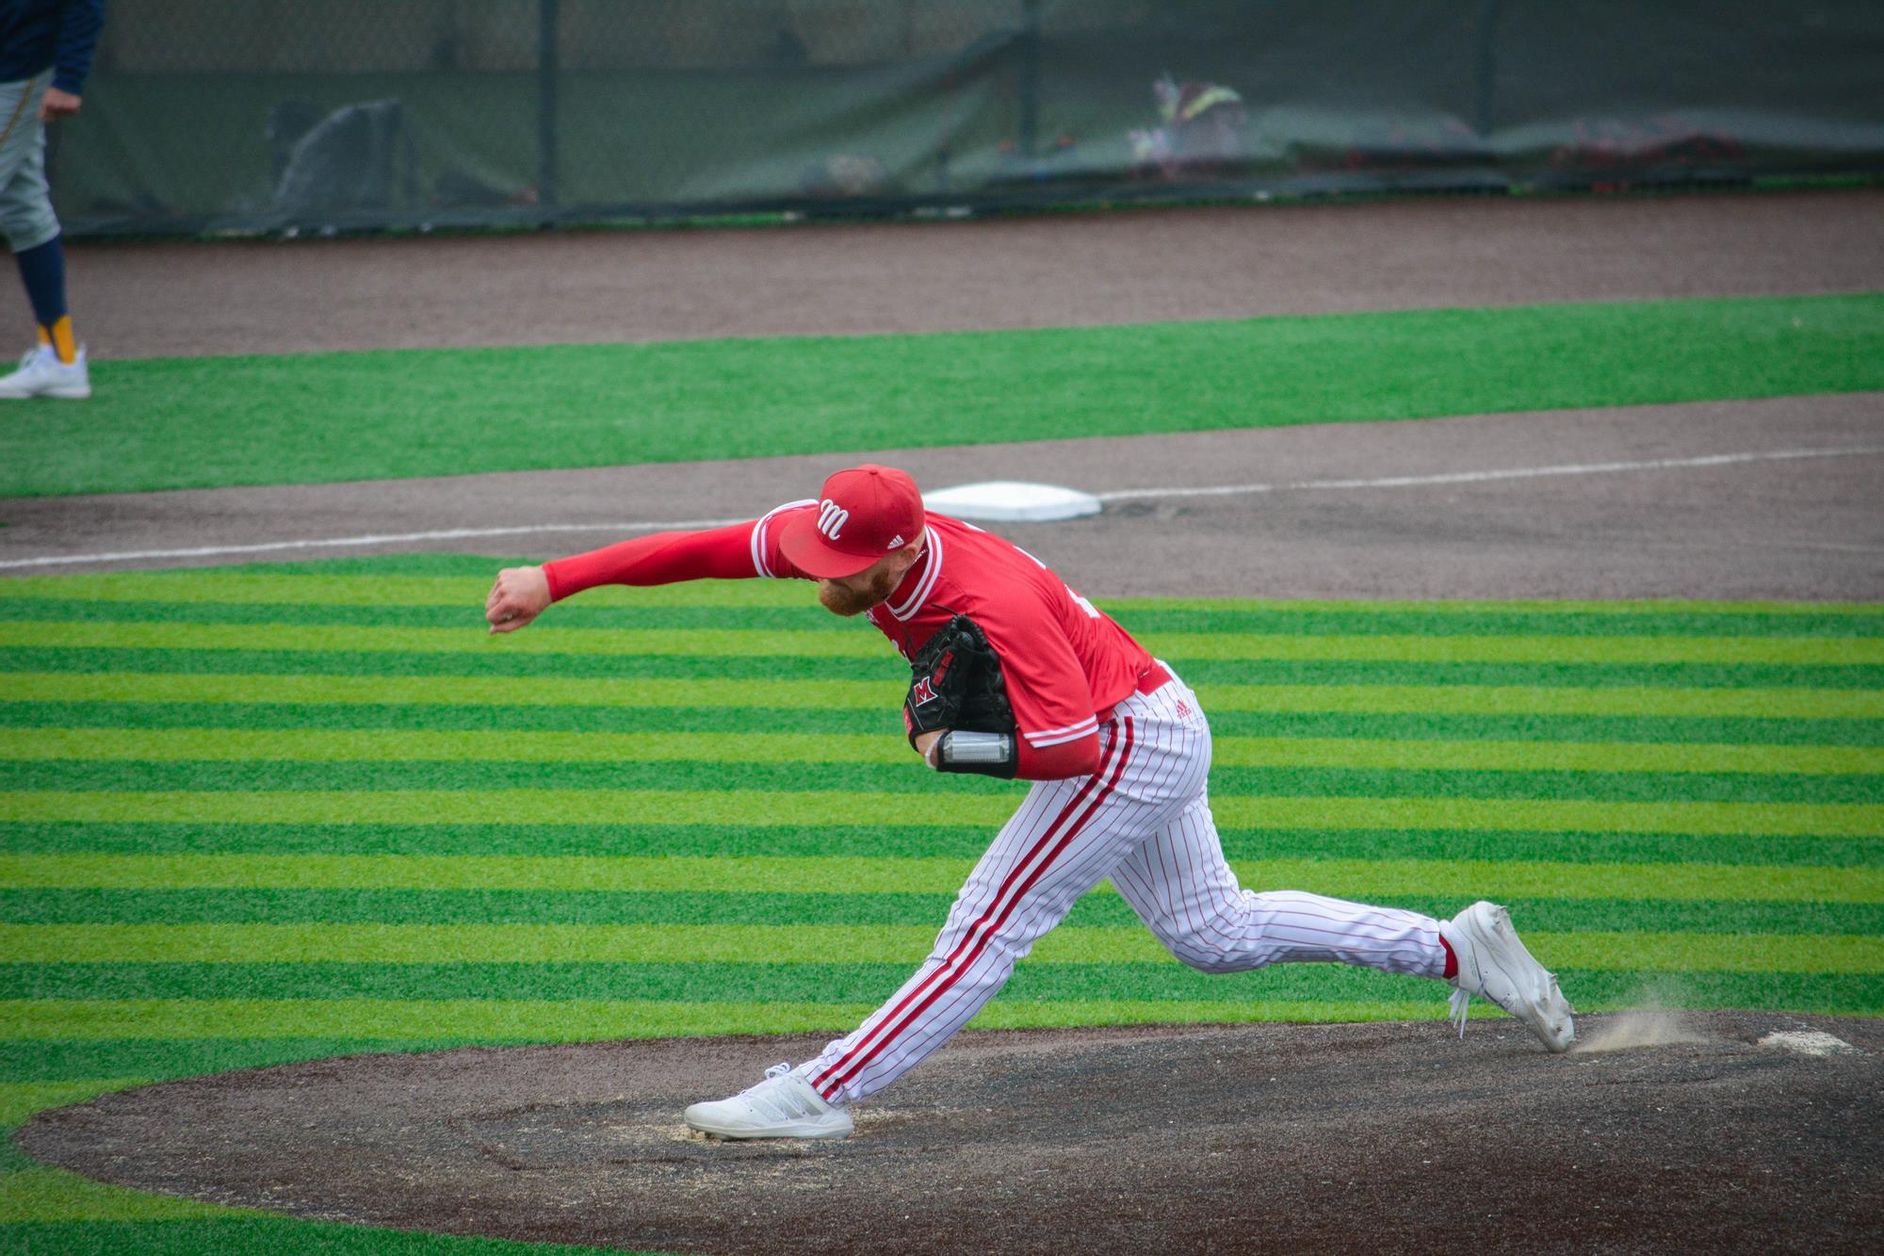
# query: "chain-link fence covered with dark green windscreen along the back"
{"type": "Point", "coordinates": [272, 116]}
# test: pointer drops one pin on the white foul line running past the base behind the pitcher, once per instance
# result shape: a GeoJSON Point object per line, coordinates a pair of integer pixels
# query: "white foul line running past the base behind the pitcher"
{"type": "Point", "coordinates": [1124, 494]}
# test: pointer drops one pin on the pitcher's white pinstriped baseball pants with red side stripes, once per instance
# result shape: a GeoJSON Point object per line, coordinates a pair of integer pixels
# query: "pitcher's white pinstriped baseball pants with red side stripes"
{"type": "Point", "coordinates": [1145, 822]}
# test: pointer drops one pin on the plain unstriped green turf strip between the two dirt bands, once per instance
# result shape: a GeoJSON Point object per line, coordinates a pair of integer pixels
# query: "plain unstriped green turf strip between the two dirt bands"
{"type": "Point", "coordinates": [199, 423]}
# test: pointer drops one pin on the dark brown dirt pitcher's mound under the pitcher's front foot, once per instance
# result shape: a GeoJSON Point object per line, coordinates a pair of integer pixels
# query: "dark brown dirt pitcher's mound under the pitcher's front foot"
{"type": "Point", "coordinates": [1681, 1135]}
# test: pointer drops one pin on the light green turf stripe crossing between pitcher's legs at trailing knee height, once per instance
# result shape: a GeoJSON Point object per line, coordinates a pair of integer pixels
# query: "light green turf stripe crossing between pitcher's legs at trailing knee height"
{"type": "Point", "coordinates": [815, 944]}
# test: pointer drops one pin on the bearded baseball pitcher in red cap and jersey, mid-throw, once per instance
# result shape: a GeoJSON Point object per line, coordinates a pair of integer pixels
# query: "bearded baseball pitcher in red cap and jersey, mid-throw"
{"type": "Point", "coordinates": [1015, 675]}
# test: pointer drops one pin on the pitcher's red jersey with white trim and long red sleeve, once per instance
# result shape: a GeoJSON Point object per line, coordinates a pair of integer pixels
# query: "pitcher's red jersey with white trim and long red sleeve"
{"type": "Point", "coordinates": [1064, 660]}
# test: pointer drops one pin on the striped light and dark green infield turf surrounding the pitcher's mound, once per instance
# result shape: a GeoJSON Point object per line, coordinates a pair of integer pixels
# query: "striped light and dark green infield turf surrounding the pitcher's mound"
{"type": "Point", "coordinates": [284, 813]}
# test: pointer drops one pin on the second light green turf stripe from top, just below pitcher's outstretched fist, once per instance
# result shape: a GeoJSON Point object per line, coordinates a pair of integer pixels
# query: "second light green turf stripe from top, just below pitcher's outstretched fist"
{"type": "Point", "coordinates": [851, 641]}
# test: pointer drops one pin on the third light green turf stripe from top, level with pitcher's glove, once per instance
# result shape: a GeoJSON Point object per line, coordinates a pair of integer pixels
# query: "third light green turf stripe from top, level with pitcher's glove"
{"type": "Point", "coordinates": [538, 692]}
